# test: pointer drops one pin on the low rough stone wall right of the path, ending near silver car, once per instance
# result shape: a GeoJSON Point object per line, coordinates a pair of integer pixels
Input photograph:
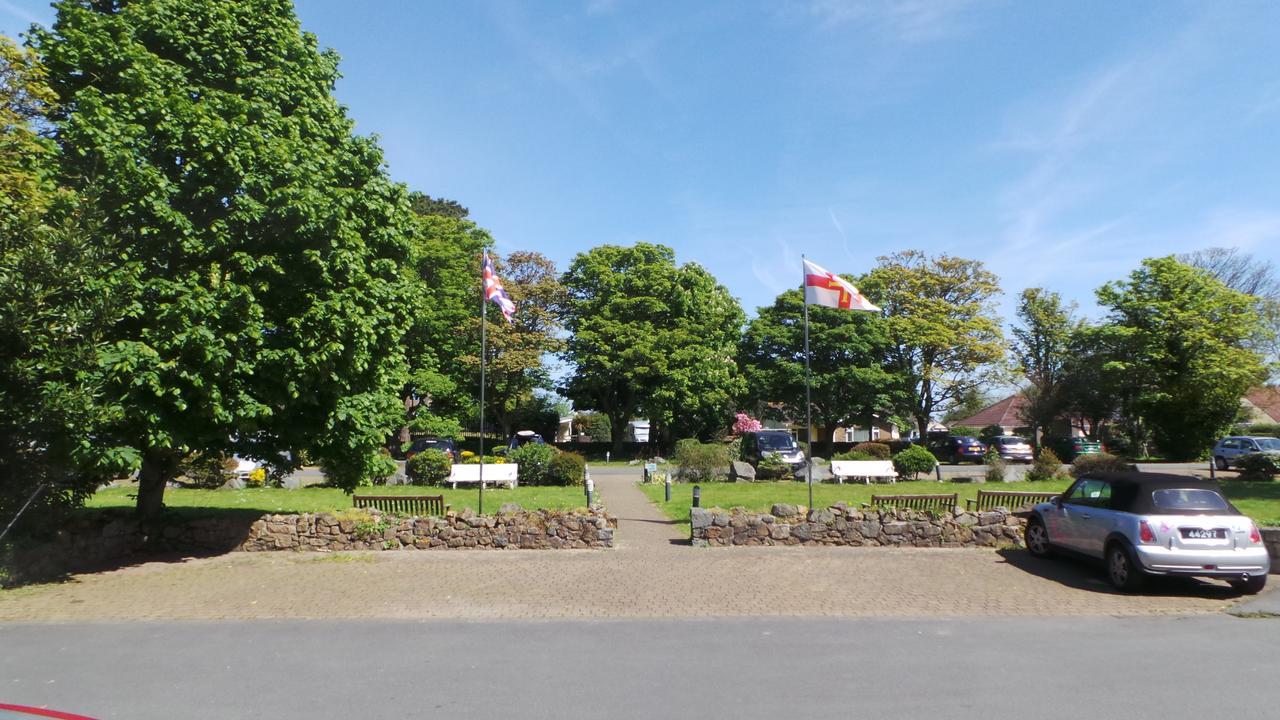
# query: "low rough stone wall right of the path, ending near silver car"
{"type": "Point", "coordinates": [840, 525]}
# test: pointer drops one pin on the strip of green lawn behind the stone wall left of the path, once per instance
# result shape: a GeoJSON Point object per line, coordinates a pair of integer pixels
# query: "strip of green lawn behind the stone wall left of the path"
{"type": "Point", "coordinates": [323, 500]}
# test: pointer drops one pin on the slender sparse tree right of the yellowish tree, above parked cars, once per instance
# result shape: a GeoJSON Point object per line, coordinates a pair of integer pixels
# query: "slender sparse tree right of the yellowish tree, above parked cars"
{"type": "Point", "coordinates": [1041, 350]}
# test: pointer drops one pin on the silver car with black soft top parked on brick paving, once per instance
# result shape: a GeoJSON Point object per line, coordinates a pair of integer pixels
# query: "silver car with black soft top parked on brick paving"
{"type": "Point", "coordinates": [1144, 525]}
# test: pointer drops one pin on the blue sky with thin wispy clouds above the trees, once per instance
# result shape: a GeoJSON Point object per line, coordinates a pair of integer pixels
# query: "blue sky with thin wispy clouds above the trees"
{"type": "Point", "coordinates": [1060, 143]}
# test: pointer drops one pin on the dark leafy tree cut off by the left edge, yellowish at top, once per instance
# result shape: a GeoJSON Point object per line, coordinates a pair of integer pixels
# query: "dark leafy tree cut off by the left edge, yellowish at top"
{"type": "Point", "coordinates": [56, 306]}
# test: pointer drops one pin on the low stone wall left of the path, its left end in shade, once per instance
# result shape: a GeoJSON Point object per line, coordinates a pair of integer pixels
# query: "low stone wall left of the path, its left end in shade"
{"type": "Point", "coordinates": [104, 539]}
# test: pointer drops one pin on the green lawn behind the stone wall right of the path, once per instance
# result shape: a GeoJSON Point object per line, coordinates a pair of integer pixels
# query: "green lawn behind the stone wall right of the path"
{"type": "Point", "coordinates": [1260, 502]}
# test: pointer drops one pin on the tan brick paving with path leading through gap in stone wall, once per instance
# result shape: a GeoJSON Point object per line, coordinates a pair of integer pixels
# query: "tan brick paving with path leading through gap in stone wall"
{"type": "Point", "coordinates": [652, 573]}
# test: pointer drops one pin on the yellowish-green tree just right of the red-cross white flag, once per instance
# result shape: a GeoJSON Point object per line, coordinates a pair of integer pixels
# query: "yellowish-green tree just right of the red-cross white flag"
{"type": "Point", "coordinates": [944, 331]}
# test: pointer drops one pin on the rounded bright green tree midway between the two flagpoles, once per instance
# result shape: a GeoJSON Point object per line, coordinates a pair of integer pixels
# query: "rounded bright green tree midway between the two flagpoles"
{"type": "Point", "coordinates": [651, 338]}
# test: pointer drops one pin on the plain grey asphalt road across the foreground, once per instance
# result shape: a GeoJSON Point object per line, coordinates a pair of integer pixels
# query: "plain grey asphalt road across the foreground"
{"type": "Point", "coordinates": [1168, 668]}
